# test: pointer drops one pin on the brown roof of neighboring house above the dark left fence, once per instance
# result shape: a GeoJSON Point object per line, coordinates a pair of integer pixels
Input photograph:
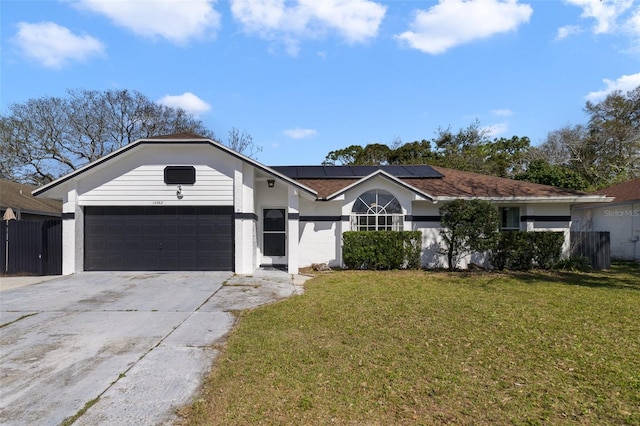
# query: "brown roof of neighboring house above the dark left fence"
{"type": "Point", "coordinates": [18, 196]}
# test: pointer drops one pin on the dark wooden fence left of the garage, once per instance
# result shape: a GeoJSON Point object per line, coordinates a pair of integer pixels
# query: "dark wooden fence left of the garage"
{"type": "Point", "coordinates": [31, 247]}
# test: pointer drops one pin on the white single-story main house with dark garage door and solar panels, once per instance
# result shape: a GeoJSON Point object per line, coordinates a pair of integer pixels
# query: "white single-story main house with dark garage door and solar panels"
{"type": "Point", "coordinates": [183, 202]}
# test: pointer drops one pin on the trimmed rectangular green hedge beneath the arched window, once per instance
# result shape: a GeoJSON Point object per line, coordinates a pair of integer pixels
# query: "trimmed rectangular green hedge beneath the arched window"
{"type": "Point", "coordinates": [376, 250]}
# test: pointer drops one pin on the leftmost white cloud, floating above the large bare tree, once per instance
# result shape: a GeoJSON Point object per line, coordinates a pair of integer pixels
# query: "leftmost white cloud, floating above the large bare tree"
{"type": "Point", "coordinates": [53, 45]}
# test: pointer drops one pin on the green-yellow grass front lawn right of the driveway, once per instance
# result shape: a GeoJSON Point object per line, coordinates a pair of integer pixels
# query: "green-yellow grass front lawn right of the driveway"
{"type": "Point", "coordinates": [379, 348]}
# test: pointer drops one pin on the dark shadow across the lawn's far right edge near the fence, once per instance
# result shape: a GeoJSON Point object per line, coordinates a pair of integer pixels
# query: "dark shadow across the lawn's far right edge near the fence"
{"type": "Point", "coordinates": [621, 275]}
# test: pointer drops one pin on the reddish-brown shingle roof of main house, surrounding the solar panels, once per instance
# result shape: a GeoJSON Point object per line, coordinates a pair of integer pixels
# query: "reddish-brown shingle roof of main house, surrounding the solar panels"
{"type": "Point", "coordinates": [450, 184]}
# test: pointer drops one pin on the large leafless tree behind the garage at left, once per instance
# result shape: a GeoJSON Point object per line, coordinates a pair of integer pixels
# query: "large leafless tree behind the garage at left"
{"type": "Point", "coordinates": [48, 137]}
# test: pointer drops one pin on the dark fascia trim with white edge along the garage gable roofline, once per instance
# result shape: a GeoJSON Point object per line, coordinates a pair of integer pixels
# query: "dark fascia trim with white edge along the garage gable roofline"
{"type": "Point", "coordinates": [152, 141]}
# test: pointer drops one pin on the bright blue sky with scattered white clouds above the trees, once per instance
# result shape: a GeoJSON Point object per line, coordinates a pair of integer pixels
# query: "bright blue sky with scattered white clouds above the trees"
{"type": "Point", "coordinates": [305, 77]}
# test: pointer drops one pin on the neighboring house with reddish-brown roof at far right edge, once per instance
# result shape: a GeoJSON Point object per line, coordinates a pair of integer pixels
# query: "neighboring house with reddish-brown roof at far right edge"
{"type": "Point", "coordinates": [621, 219]}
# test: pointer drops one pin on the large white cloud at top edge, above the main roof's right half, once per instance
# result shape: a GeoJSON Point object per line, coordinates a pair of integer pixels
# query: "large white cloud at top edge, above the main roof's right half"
{"type": "Point", "coordinates": [454, 22]}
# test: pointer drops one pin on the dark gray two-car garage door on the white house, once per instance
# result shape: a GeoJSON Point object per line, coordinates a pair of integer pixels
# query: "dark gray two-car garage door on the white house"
{"type": "Point", "coordinates": [158, 238]}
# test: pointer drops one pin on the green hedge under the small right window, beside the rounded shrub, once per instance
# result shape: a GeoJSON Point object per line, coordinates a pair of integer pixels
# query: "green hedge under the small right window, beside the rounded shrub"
{"type": "Point", "coordinates": [522, 251]}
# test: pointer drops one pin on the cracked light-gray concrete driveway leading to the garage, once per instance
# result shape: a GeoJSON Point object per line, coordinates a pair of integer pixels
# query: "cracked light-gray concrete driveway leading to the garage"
{"type": "Point", "coordinates": [129, 348]}
